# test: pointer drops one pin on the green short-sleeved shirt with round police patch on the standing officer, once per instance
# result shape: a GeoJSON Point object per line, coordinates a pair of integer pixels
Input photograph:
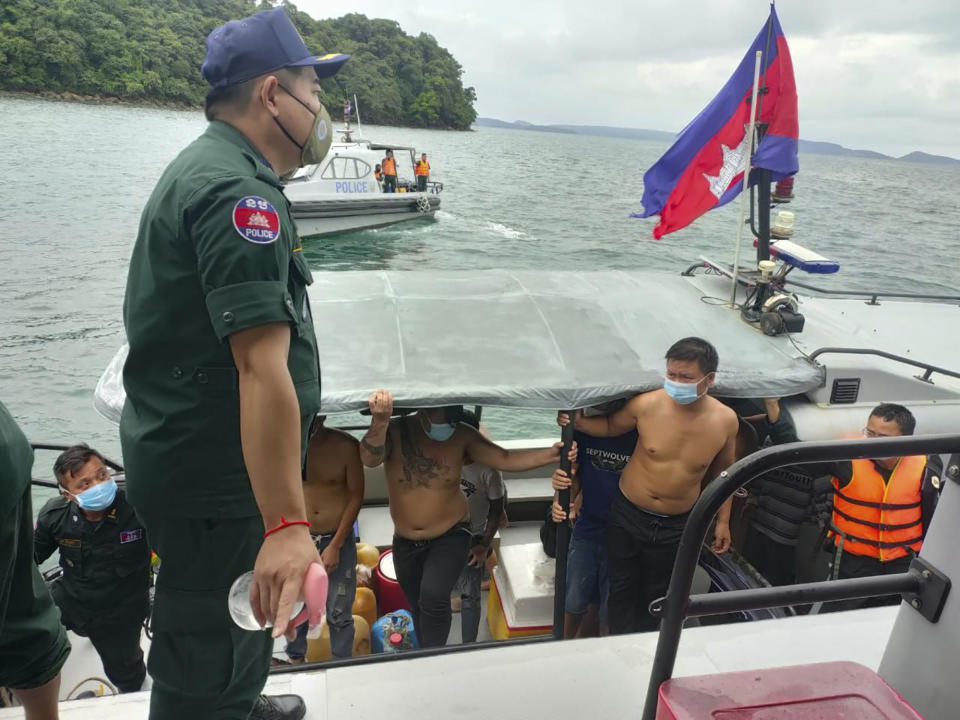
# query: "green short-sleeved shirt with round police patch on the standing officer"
{"type": "Point", "coordinates": [217, 252]}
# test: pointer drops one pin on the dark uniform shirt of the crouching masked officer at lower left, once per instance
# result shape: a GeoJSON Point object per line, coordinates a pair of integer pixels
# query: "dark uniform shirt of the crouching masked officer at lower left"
{"type": "Point", "coordinates": [106, 564]}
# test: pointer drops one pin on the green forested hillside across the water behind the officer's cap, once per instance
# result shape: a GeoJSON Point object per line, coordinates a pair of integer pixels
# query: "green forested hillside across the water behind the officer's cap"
{"type": "Point", "coordinates": [151, 50]}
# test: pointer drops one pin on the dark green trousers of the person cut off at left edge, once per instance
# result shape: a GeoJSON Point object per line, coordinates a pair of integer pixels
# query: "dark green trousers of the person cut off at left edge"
{"type": "Point", "coordinates": [33, 643]}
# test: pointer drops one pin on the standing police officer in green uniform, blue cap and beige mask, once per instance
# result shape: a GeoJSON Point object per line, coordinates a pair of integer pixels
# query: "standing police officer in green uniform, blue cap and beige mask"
{"type": "Point", "coordinates": [222, 376]}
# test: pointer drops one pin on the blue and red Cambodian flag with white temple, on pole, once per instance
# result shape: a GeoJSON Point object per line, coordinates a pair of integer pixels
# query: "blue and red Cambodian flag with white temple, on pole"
{"type": "Point", "coordinates": [704, 167]}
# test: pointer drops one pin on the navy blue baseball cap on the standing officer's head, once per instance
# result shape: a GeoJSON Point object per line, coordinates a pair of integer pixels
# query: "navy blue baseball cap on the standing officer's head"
{"type": "Point", "coordinates": [243, 49]}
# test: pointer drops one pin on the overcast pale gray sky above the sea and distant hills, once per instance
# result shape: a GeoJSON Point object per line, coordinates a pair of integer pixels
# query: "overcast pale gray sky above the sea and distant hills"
{"type": "Point", "coordinates": [879, 74]}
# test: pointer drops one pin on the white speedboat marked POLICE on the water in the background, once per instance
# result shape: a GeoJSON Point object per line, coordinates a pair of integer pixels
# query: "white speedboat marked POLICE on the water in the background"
{"type": "Point", "coordinates": [341, 194]}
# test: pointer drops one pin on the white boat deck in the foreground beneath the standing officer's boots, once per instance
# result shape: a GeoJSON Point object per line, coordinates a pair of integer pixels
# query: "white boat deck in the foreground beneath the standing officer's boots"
{"type": "Point", "coordinates": [604, 677]}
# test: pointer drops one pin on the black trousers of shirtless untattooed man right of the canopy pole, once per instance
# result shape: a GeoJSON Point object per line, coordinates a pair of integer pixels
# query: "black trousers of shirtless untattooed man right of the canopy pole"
{"type": "Point", "coordinates": [642, 547]}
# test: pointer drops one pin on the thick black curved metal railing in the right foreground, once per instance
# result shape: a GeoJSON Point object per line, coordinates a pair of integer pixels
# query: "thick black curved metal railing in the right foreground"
{"type": "Point", "coordinates": [679, 604]}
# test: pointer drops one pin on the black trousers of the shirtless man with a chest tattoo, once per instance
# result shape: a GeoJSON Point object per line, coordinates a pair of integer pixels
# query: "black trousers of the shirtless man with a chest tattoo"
{"type": "Point", "coordinates": [427, 570]}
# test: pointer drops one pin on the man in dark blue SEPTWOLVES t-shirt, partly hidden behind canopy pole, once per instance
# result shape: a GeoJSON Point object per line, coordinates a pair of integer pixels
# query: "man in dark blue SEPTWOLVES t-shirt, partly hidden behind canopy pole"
{"type": "Point", "coordinates": [593, 486]}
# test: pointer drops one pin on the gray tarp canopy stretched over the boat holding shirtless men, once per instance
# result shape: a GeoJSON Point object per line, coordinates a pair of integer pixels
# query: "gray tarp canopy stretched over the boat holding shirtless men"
{"type": "Point", "coordinates": [549, 340]}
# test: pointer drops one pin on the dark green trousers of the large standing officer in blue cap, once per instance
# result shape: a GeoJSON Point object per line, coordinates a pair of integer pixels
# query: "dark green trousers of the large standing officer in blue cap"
{"type": "Point", "coordinates": [202, 664]}
